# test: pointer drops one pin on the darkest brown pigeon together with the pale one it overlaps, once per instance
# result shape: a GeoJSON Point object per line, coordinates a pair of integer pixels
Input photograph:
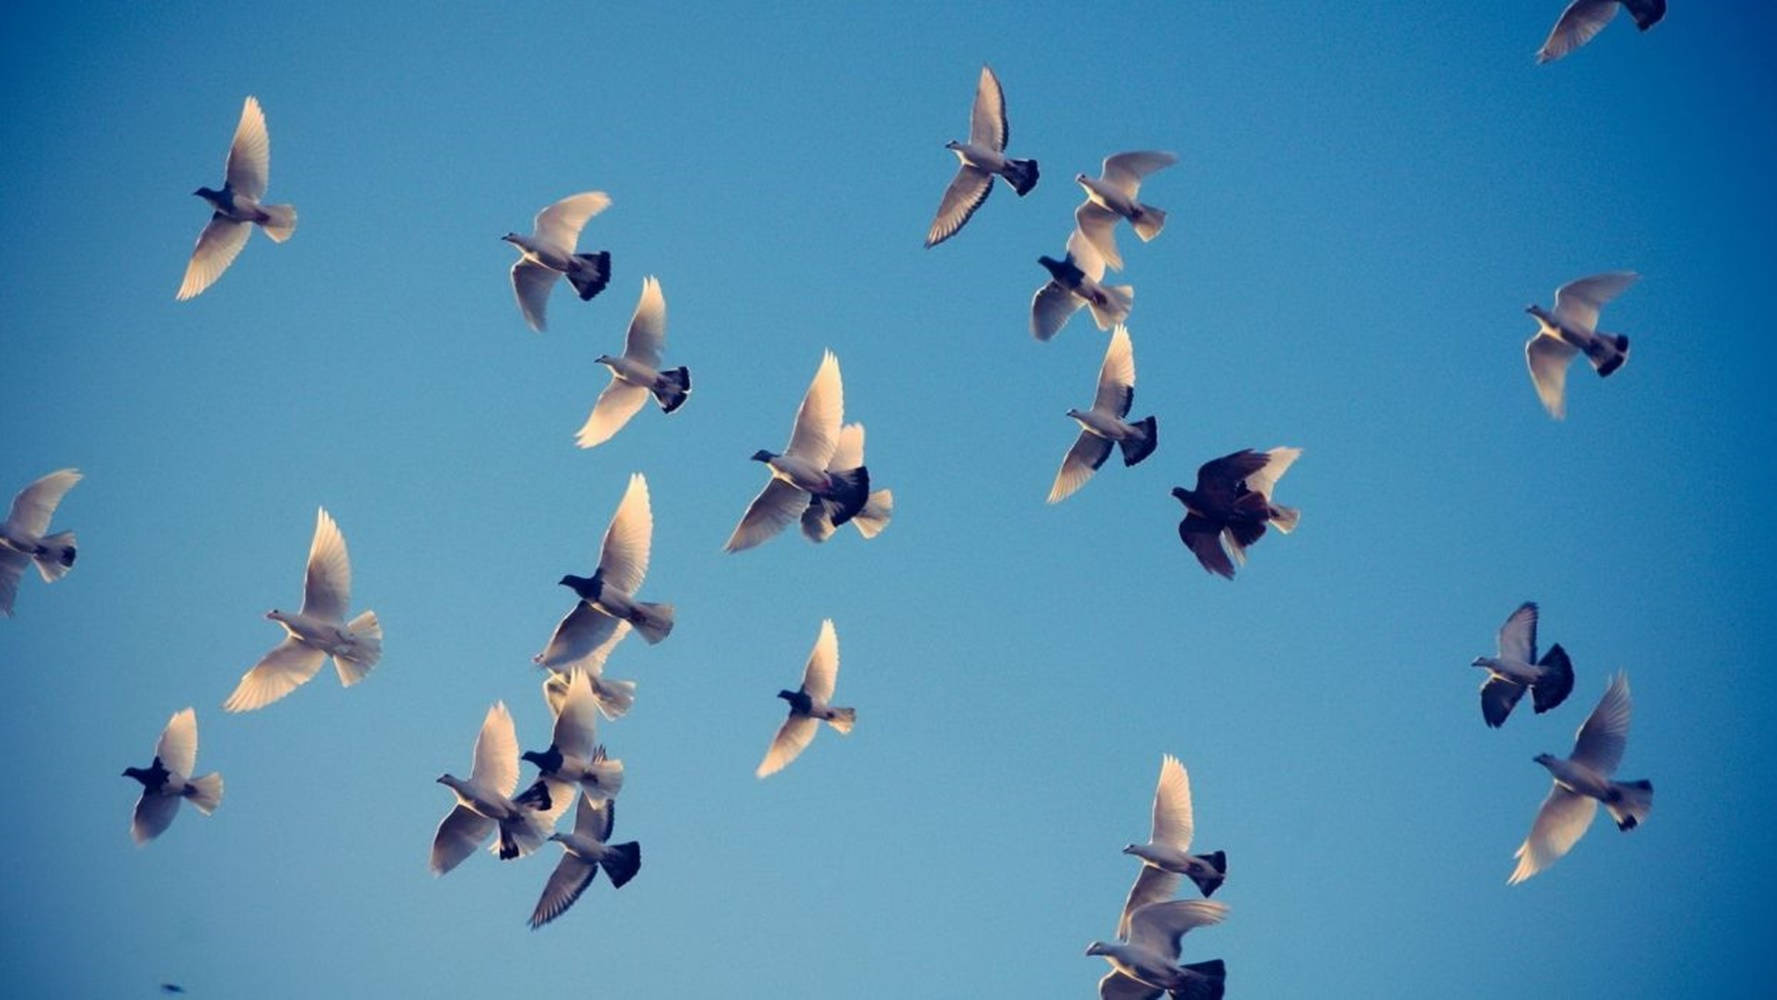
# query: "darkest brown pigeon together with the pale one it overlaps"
{"type": "Point", "coordinates": [1232, 505]}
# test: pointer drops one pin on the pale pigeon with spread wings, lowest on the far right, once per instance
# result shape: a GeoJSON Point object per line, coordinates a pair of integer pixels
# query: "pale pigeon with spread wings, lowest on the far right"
{"type": "Point", "coordinates": [1582, 782]}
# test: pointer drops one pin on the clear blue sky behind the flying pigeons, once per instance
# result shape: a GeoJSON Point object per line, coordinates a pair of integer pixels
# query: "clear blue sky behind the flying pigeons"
{"type": "Point", "coordinates": [1367, 198]}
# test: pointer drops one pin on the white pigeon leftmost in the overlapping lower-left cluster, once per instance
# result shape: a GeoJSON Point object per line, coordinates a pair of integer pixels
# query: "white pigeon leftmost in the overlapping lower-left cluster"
{"type": "Point", "coordinates": [486, 804]}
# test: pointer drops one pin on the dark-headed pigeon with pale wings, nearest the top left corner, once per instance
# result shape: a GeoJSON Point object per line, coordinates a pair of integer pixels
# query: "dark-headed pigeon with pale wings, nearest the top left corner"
{"type": "Point", "coordinates": [237, 205]}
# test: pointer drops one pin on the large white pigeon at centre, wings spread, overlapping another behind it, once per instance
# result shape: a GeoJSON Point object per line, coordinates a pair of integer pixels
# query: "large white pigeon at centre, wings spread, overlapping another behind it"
{"type": "Point", "coordinates": [802, 470]}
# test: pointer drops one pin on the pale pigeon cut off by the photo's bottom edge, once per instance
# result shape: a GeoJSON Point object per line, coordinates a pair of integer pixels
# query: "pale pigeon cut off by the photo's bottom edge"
{"type": "Point", "coordinates": [1147, 964]}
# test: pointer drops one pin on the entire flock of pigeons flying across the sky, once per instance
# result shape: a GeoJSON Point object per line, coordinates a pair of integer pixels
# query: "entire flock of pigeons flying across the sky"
{"type": "Point", "coordinates": [822, 480]}
